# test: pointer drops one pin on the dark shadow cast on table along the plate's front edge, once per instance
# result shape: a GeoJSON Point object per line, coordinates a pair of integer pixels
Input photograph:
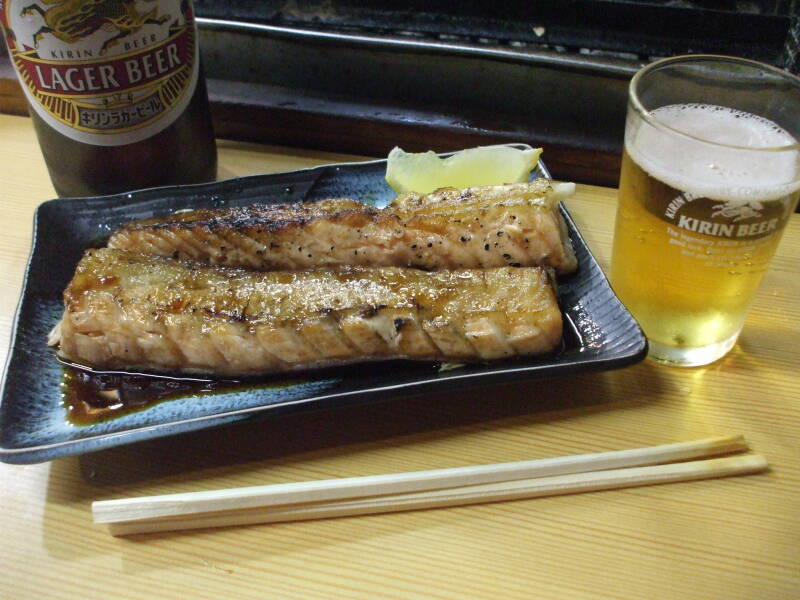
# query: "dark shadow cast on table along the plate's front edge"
{"type": "Point", "coordinates": [336, 431]}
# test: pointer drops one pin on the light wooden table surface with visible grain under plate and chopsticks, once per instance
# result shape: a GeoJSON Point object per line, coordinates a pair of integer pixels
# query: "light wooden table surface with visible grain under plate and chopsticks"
{"type": "Point", "coordinates": [728, 538]}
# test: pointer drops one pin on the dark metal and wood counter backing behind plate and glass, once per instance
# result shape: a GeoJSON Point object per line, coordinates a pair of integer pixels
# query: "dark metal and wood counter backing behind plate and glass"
{"type": "Point", "coordinates": [362, 77]}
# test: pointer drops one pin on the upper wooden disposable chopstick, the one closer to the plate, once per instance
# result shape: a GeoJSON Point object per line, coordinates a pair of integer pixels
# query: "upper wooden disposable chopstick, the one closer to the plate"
{"type": "Point", "coordinates": [396, 483]}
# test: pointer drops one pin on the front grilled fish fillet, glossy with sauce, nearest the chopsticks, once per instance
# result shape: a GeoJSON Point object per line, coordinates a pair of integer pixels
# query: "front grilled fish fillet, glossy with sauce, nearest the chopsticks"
{"type": "Point", "coordinates": [135, 311]}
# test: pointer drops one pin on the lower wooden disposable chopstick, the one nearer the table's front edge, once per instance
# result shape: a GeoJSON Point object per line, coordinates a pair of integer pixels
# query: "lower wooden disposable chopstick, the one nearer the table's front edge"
{"type": "Point", "coordinates": [472, 494]}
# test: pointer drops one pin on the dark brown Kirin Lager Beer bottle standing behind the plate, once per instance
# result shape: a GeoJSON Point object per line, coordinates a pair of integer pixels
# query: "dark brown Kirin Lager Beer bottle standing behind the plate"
{"type": "Point", "coordinates": [115, 91]}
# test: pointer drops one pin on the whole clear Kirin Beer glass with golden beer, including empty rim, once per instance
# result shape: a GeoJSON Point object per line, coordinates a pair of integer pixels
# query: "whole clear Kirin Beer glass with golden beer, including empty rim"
{"type": "Point", "coordinates": [710, 177]}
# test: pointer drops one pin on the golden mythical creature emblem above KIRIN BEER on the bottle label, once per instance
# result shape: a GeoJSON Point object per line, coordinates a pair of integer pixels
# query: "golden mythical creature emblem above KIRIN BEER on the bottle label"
{"type": "Point", "coordinates": [74, 20]}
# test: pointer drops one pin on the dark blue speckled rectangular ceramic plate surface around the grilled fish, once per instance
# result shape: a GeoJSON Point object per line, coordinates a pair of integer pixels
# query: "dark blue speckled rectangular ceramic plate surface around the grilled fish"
{"type": "Point", "coordinates": [600, 333]}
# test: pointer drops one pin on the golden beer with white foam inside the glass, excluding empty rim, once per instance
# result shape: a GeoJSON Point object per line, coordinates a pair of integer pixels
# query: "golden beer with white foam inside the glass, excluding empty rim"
{"type": "Point", "coordinates": [697, 224]}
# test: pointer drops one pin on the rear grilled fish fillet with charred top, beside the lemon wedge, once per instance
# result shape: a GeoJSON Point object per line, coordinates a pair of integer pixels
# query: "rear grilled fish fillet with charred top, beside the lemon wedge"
{"type": "Point", "coordinates": [509, 225]}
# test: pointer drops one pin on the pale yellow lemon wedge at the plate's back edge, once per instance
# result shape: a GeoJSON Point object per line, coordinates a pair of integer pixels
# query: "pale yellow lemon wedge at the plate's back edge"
{"type": "Point", "coordinates": [423, 172]}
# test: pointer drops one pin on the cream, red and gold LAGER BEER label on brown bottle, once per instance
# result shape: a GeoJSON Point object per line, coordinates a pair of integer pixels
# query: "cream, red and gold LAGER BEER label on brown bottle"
{"type": "Point", "coordinates": [104, 72]}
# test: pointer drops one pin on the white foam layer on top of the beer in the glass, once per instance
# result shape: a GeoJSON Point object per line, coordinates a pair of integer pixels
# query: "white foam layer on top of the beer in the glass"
{"type": "Point", "coordinates": [717, 170]}
